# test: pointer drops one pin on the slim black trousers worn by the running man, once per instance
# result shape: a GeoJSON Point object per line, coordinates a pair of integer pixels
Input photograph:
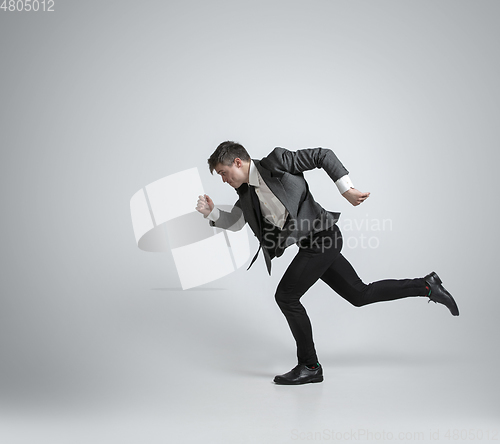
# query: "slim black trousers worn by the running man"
{"type": "Point", "coordinates": [319, 257]}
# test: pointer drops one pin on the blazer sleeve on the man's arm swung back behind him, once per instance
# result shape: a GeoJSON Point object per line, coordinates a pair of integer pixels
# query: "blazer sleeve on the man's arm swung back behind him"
{"type": "Point", "coordinates": [296, 162]}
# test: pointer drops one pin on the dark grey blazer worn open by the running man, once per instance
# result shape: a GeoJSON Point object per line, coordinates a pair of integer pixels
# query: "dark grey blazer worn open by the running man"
{"type": "Point", "coordinates": [282, 171]}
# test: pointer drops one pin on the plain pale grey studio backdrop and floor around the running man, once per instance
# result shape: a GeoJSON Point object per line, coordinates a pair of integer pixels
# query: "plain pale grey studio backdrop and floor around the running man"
{"type": "Point", "coordinates": [98, 344]}
